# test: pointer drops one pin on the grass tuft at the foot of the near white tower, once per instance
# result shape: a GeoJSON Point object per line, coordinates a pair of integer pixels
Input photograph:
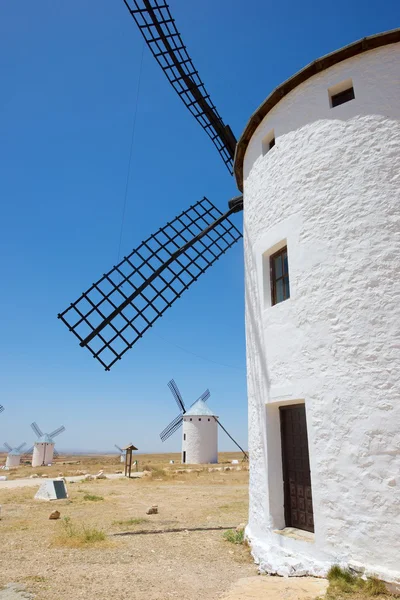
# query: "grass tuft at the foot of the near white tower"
{"type": "Point", "coordinates": [346, 585]}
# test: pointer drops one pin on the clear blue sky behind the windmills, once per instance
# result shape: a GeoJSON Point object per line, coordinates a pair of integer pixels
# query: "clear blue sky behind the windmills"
{"type": "Point", "coordinates": [69, 73]}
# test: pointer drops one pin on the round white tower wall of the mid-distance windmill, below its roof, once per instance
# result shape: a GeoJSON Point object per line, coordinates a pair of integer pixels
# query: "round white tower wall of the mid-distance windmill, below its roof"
{"type": "Point", "coordinates": [201, 443]}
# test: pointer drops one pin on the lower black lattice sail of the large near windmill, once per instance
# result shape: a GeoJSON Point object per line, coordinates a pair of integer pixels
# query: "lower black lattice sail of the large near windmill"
{"type": "Point", "coordinates": [115, 312]}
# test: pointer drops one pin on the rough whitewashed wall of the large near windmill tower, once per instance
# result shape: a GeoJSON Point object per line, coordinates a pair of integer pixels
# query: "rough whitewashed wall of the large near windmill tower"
{"type": "Point", "coordinates": [329, 189]}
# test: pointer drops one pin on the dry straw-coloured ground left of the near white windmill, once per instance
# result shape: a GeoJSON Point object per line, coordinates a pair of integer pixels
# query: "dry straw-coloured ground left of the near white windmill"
{"type": "Point", "coordinates": [194, 563]}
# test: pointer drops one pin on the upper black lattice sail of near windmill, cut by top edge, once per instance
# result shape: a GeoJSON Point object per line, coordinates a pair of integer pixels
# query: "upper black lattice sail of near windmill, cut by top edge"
{"type": "Point", "coordinates": [165, 42]}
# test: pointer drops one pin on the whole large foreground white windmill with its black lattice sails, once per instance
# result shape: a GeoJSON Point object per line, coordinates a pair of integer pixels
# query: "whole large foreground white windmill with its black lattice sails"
{"type": "Point", "coordinates": [318, 162]}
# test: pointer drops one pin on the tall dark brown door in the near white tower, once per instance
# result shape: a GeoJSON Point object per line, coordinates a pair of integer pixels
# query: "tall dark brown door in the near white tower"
{"type": "Point", "coordinates": [296, 468]}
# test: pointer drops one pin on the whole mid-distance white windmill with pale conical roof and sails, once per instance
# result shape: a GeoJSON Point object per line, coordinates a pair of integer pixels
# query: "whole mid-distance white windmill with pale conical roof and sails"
{"type": "Point", "coordinates": [200, 429]}
